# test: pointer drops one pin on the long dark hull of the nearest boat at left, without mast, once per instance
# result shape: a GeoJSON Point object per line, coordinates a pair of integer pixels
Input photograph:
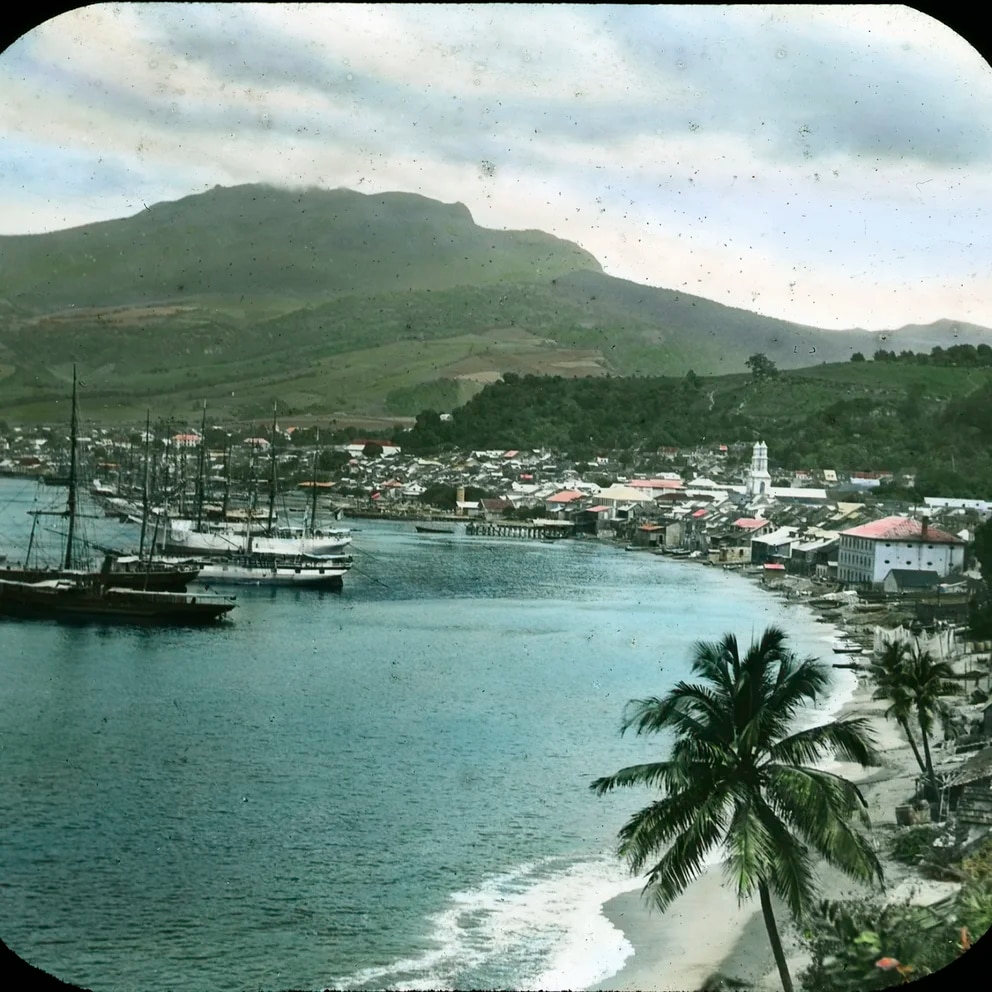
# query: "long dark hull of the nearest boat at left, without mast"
{"type": "Point", "coordinates": [89, 600]}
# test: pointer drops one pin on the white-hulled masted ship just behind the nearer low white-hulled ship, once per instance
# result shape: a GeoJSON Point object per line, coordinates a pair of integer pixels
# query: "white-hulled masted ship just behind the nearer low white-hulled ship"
{"type": "Point", "coordinates": [195, 537]}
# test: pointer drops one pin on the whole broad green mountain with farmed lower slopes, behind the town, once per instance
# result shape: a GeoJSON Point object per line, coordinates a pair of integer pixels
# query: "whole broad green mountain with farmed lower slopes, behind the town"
{"type": "Point", "coordinates": [332, 300]}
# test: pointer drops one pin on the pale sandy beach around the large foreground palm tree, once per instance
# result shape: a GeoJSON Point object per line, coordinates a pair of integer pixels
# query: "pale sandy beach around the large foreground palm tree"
{"type": "Point", "coordinates": [705, 933]}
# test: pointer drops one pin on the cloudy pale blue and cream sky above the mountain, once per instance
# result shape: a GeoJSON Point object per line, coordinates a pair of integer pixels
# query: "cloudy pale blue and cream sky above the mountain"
{"type": "Point", "coordinates": [830, 165]}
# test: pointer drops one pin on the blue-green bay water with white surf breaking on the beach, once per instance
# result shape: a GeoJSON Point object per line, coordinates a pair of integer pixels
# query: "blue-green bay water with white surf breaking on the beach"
{"type": "Point", "coordinates": [385, 787]}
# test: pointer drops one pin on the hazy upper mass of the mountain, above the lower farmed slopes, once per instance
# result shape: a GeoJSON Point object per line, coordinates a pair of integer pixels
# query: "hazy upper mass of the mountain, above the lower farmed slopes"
{"type": "Point", "coordinates": [247, 243]}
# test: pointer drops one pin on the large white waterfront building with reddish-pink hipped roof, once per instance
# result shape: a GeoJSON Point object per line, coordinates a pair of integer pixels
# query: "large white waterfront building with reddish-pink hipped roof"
{"type": "Point", "coordinates": [867, 554]}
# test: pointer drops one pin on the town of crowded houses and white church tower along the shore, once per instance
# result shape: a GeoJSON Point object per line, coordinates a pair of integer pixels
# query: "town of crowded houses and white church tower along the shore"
{"type": "Point", "coordinates": [705, 509]}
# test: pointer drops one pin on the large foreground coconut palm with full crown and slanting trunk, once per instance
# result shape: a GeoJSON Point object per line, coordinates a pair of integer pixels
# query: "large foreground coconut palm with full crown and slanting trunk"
{"type": "Point", "coordinates": [737, 777]}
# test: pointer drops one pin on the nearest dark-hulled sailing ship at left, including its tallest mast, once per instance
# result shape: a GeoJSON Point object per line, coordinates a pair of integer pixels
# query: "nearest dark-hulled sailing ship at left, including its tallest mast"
{"type": "Point", "coordinates": [80, 595]}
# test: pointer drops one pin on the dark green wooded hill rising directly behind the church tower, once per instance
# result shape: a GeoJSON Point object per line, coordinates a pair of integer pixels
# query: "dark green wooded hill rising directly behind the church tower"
{"type": "Point", "coordinates": [812, 419]}
